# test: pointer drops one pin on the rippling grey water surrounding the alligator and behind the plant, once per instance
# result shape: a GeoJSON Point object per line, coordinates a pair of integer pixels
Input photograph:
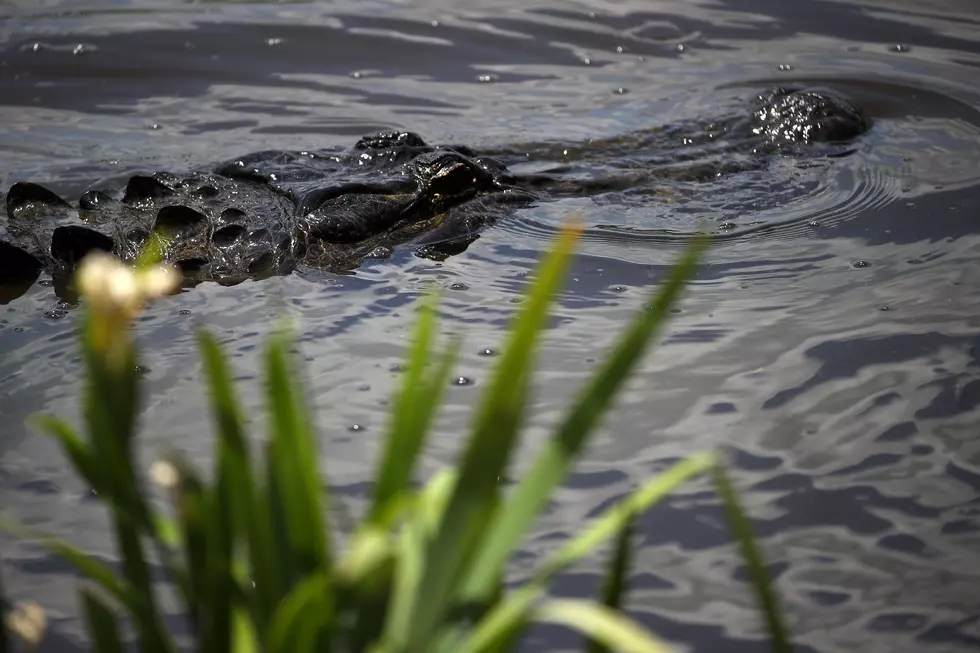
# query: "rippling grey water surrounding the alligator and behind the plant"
{"type": "Point", "coordinates": [830, 345]}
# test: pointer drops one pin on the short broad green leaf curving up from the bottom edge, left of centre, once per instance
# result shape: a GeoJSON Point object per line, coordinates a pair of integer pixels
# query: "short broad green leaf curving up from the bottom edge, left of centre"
{"type": "Point", "coordinates": [299, 623]}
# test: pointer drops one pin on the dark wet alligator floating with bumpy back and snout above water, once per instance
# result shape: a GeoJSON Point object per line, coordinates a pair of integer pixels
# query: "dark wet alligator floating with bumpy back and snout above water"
{"type": "Point", "coordinates": [268, 212]}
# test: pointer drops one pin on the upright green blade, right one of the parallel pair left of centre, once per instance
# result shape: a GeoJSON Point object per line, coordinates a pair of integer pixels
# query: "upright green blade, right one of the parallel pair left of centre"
{"type": "Point", "coordinates": [293, 457]}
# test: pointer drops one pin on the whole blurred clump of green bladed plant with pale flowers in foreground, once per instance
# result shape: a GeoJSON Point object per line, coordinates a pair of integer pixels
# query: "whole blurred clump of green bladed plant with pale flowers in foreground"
{"type": "Point", "coordinates": [252, 555]}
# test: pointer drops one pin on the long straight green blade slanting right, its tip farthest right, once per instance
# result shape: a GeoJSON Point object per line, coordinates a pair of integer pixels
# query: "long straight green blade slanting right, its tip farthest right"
{"type": "Point", "coordinates": [555, 459]}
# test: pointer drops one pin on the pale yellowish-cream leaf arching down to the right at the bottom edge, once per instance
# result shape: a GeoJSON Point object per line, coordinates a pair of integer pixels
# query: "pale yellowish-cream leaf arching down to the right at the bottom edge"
{"type": "Point", "coordinates": [600, 623]}
